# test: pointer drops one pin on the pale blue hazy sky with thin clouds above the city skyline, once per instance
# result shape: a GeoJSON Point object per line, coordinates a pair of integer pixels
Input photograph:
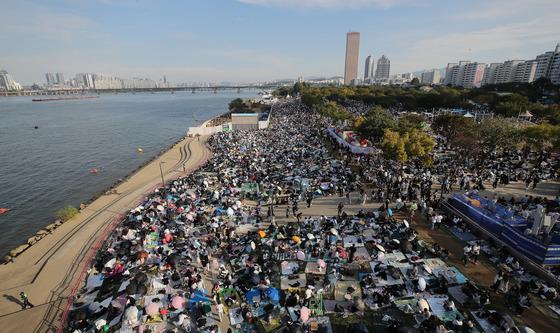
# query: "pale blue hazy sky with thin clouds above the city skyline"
{"type": "Point", "coordinates": [246, 40]}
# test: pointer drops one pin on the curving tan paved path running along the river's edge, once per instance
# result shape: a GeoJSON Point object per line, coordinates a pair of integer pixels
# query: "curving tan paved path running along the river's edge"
{"type": "Point", "coordinates": [47, 271]}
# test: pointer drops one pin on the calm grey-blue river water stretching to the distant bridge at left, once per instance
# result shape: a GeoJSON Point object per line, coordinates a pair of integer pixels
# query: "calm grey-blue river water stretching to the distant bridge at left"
{"type": "Point", "coordinates": [45, 169]}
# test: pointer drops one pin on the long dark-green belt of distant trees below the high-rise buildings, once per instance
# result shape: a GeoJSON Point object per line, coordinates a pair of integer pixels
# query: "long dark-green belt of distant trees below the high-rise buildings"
{"type": "Point", "coordinates": [507, 100]}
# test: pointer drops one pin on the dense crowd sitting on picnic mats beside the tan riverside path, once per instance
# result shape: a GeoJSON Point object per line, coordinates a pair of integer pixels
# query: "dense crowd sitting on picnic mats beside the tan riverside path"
{"type": "Point", "coordinates": [206, 253]}
